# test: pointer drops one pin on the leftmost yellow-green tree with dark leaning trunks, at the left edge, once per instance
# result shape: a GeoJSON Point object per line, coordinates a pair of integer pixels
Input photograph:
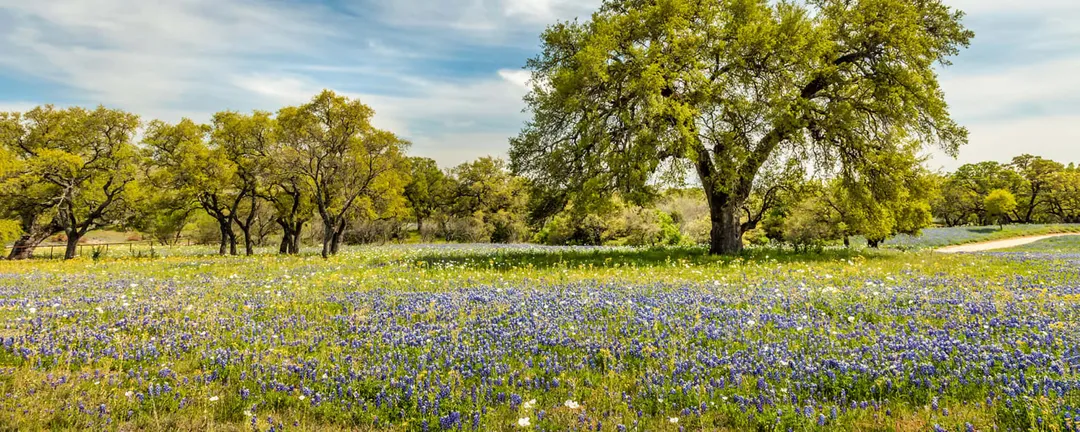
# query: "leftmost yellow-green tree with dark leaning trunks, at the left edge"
{"type": "Point", "coordinates": [71, 170]}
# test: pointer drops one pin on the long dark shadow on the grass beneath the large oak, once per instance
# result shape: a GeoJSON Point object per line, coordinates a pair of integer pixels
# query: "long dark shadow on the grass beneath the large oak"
{"type": "Point", "coordinates": [633, 258]}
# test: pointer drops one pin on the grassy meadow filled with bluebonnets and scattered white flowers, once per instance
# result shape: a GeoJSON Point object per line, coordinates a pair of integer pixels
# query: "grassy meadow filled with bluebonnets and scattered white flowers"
{"type": "Point", "coordinates": [482, 339]}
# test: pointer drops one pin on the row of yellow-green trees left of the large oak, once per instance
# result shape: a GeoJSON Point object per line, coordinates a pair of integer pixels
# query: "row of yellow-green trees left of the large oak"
{"type": "Point", "coordinates": [240, 181]}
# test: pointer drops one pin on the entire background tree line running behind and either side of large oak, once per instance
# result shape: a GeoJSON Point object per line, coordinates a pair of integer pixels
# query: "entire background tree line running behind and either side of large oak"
{"type": "Point", "coordinates": [321, 174]}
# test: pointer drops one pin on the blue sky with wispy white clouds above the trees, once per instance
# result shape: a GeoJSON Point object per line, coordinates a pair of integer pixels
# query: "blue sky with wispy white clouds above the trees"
{"type": "Point", "coordinates": [448, 74]}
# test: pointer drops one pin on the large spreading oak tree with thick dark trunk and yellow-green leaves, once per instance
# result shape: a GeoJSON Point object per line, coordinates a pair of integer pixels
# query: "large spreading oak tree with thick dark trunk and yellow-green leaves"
{"type": "Point", "coordinates": [724, 88]}
